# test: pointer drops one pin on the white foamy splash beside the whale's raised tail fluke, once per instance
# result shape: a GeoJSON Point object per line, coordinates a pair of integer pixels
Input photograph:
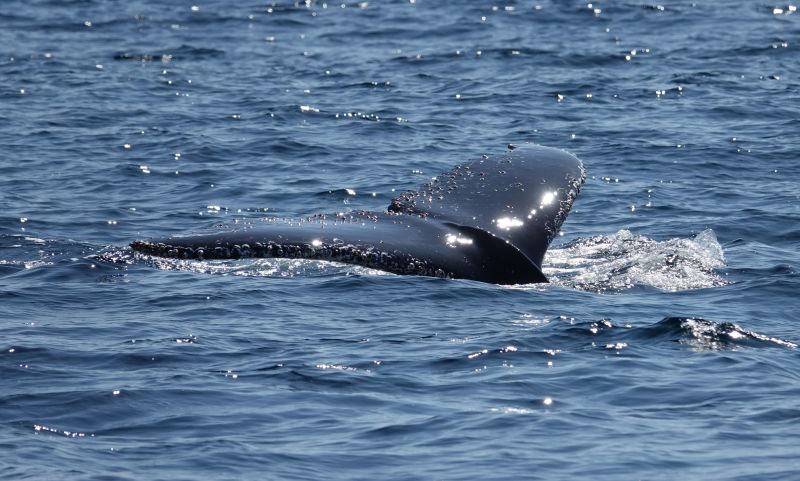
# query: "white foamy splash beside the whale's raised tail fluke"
{"type": "Point", "coordinates": [623, 260]}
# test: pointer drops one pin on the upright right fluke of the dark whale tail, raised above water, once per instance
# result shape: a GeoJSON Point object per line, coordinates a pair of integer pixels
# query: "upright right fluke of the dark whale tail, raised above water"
{"type": "Point", "coordinates": [521, 196]}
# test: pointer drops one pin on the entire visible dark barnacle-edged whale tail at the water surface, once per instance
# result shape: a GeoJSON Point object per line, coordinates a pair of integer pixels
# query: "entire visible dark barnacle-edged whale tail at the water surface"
{"type": "Point", "coordinates": [490, 220]}
